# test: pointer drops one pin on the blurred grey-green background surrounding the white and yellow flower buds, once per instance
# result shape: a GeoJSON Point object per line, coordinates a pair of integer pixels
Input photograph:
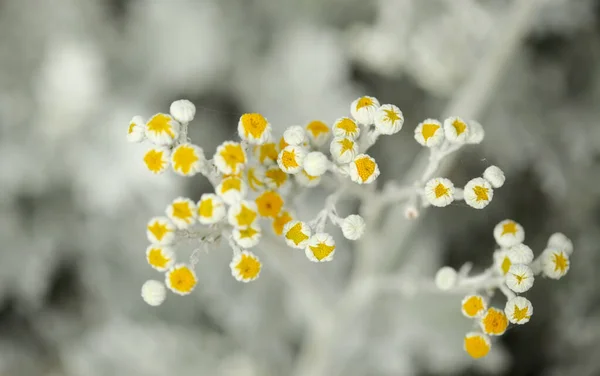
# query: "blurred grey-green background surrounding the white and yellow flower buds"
{"type": "Point", "coordinates": [75, 197]}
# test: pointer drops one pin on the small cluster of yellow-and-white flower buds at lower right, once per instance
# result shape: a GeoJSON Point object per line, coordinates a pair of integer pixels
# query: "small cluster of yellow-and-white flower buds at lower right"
{"type": "Point", "coordinates": [513, 273]}
